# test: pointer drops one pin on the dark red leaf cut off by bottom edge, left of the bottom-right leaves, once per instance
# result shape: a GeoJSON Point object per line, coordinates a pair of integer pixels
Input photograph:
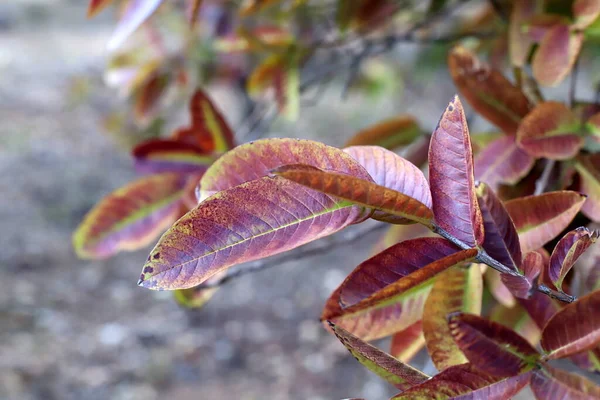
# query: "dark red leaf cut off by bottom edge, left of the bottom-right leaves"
{"type": "Point", "coordinates": [464, 382]}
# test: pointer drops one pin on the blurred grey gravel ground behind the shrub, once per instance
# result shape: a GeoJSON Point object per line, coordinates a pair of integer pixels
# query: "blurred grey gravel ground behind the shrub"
{"type": "Point", "coordinates": [72, 329]}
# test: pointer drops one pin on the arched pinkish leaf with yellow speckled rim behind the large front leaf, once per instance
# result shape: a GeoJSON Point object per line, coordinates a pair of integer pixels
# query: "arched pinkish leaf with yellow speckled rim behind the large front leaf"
{"type": "Point", "coordinates": [257, 159]}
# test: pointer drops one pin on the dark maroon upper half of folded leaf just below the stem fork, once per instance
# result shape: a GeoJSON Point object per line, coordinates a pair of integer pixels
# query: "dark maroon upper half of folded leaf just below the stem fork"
{"type": "Point", "coordinates": [392, 265]}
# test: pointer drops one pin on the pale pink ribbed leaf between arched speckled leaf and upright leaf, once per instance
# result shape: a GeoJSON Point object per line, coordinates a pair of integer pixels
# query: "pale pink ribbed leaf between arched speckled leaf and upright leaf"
{"type": "Point", "coordinates": [392, 171]}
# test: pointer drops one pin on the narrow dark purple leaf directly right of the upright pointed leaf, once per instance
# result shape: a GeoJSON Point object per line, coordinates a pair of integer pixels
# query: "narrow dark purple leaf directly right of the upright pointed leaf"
{"type": "Point", "coordinates": [501, 239]}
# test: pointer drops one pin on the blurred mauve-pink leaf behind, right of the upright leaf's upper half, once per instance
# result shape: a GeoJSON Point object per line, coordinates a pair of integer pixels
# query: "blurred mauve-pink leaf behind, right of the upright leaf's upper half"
{"type": "Point", "coordinates": [502, 161]}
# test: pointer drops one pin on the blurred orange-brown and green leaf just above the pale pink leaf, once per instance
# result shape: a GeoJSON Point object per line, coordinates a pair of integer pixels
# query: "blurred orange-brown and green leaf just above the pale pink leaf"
{"type": "Point", "coordinates": [390, 134]}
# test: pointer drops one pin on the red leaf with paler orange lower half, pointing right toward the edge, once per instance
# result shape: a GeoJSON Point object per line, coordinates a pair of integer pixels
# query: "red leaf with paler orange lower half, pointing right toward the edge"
{"type": "Point", "coordinates": [541, 218]}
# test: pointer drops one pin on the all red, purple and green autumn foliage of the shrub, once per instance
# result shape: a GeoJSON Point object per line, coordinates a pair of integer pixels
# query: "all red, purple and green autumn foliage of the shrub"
{"type": "Point", "coordinates": [498, 212]}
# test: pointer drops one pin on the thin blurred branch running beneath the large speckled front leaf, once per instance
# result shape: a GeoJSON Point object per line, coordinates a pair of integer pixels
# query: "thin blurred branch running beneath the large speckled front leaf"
{"type": "Point", "coordinates": [315, 248]}
